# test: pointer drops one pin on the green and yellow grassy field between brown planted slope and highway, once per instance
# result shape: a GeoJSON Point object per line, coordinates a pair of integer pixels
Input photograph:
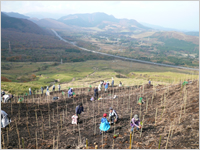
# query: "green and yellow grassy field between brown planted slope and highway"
{"type": "Point", "coordinates": [28, 74]}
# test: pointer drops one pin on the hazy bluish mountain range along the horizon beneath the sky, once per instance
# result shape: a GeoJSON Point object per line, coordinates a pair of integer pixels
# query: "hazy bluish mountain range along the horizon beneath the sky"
{"type": "Point", "coordinates": [99, 20]}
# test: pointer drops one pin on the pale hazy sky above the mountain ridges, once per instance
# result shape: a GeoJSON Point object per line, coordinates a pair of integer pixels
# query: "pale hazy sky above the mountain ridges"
{"type": "Point", "coordinates": [183, 15]}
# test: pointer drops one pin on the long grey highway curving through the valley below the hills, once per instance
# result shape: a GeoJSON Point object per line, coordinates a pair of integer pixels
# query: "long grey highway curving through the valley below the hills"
{"type": "Point", "coordinates": [124, 58]}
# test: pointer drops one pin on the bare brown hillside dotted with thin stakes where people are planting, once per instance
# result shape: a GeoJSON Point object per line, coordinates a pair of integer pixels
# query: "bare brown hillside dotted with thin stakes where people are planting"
{"type": "Point", "coordinates": [44, 123]}
